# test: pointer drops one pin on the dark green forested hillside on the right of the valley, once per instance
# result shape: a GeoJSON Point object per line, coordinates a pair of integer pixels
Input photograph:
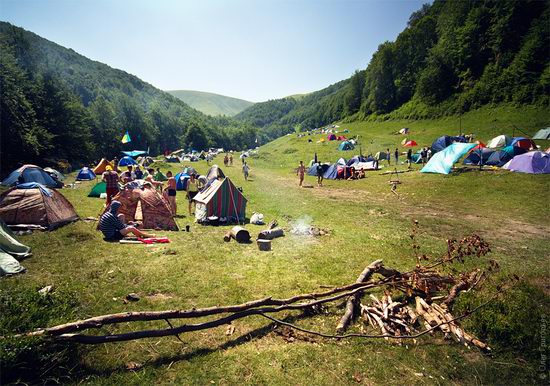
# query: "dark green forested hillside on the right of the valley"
{"type": "Point", "coordinates": [453, 56]}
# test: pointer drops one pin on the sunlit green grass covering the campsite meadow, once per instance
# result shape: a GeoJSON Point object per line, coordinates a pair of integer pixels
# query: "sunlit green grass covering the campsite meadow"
{"type": "Point", "coordinates": [366, 221]}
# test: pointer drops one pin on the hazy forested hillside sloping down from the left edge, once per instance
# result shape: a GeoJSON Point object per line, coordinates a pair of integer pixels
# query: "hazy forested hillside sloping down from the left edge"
{"type": "Point", "coordinates": [57, 104]}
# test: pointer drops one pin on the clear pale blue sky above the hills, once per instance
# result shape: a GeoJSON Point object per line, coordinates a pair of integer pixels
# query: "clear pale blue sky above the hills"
{"type": "Point", "coordinates": [250, 49]}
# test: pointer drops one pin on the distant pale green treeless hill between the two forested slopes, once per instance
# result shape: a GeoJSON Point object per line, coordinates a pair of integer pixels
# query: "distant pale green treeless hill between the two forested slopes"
{"type": "Point", "coordinates": [211, 104]}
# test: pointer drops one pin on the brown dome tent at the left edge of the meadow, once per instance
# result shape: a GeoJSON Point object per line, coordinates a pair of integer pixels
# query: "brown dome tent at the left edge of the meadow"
{"type": "Point", "coordinates": [35, 204]}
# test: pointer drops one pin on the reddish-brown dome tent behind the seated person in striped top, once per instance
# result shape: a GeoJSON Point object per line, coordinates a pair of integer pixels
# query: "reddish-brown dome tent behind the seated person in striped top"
{"type": "Point", "coordinates": [146, 205]}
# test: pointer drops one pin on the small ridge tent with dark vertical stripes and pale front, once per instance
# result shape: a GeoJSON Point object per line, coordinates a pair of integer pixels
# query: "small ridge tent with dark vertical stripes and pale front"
{"type": "Point", "coordinates": [221, 199]}
